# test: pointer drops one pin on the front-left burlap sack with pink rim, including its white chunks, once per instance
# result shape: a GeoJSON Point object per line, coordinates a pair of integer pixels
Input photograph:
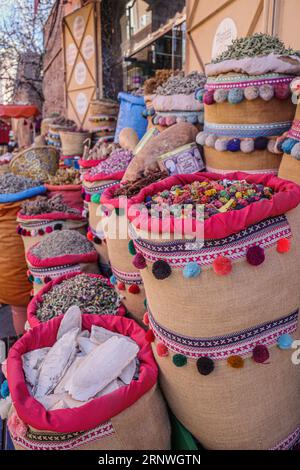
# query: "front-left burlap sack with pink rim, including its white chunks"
{"type": "Point", "coordinates": [116, 419]}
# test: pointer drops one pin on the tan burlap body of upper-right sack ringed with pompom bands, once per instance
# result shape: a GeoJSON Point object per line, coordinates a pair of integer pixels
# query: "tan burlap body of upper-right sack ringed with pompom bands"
{"type": "Point", "coordinates": [252, 112]}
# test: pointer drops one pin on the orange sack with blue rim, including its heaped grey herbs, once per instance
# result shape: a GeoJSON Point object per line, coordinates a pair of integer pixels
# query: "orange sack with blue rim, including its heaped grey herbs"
{"type": "Point", "coordinates": [14, 286]}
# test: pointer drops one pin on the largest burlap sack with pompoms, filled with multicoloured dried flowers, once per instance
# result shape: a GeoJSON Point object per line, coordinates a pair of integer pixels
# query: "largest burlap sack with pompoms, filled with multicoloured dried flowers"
{"type": "Point", "coordinates": [220, 335]}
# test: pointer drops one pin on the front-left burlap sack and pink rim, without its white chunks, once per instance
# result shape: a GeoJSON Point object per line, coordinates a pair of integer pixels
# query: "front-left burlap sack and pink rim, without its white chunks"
{"type": "Point", "coordinates": [131, 418]}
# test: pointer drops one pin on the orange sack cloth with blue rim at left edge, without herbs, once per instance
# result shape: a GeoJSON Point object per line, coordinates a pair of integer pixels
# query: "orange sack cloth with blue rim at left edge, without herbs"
{"type": "Point", "coordinates": [14, 286]}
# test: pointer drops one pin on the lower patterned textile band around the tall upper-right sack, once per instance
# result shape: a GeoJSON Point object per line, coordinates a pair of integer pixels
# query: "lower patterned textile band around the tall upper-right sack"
{"type": "Point", "coordinates": [239, 131]}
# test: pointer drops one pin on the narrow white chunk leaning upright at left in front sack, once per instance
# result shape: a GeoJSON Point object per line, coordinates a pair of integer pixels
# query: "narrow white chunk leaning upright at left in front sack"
{"type": "Point", "coordinates": [56, 363]}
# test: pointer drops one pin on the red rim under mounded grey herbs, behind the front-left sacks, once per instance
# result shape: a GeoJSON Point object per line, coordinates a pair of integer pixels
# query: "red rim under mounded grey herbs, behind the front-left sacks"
{"type": "Point", "coordinates": [36, 262]}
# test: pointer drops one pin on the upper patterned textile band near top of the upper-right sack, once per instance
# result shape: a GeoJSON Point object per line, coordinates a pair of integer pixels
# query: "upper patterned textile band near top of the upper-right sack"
{"type": "Point", "coordinates": [244, 81]}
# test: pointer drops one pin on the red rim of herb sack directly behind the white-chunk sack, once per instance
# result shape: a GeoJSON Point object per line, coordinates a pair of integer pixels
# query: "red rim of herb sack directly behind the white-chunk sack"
{"type": "Point", "coordinates": [37, 299]}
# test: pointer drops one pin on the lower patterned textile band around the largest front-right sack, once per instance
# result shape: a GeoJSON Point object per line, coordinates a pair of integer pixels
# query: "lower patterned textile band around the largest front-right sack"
{"type": "Point", "coordinates": [239, 343]}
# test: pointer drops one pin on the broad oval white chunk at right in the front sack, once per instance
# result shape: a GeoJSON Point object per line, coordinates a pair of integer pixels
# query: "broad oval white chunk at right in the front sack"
{"type": "Point", "coordinates": [103, 365]}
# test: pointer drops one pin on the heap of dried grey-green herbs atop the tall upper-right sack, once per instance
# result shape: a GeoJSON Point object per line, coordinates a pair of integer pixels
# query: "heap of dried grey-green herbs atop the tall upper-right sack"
{"type": "Point", "coordinates": [255, 46]}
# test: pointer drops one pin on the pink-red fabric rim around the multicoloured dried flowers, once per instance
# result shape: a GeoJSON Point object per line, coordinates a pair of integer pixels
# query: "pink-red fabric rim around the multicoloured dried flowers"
{"type": "Point", "coordinates": [221, 225]}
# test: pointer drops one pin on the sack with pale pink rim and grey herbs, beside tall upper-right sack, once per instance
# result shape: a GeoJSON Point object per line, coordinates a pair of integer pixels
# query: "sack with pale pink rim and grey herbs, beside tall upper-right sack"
{"type": "Point", "coordinates": [175, 101]}
